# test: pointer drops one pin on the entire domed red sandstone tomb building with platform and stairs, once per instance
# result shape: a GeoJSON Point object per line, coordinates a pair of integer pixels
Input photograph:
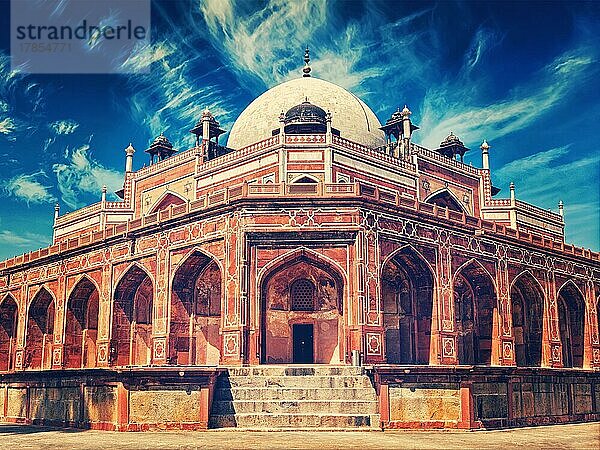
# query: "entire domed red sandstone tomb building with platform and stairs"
{"type": "Point", "coordinates": [319, 270]}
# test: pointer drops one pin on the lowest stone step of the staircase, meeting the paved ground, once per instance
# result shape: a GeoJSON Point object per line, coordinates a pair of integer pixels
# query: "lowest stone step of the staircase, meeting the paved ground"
{"type": "Point", "coordinates": [295, 421]}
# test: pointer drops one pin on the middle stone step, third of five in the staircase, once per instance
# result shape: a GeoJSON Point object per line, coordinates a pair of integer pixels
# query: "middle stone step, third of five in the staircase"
{"type": "Point", "coordinates": [287, 393]}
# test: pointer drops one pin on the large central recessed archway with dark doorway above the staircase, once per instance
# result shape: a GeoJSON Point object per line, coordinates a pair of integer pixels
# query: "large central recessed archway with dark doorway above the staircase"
{"type": "Point", "coordinates": [301, 309]}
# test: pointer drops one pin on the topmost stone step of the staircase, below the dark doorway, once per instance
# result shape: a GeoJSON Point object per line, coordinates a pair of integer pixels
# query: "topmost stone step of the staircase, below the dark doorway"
{"type": "Point", "coordinates": [310, 370]}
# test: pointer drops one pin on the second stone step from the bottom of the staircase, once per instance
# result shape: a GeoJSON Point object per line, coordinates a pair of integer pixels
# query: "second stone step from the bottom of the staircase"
{"type": "Point", "coordinates": [296, 407]}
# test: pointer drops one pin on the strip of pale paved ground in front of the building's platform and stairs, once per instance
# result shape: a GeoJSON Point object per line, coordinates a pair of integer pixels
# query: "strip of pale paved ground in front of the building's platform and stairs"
{"type": "Point", "coordinates": [577, 436]}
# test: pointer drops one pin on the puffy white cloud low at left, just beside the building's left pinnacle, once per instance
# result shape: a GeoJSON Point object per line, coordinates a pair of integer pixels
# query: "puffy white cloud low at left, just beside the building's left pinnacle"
{"type": "Point", "coordinates": [81, 175]}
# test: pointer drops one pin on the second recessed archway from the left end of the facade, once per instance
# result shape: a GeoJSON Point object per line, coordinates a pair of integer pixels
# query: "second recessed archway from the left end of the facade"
{"type": "Point", "coordinates": [40, 331]}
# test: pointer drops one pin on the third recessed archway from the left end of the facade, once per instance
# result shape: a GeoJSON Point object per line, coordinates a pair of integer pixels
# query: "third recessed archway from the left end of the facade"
{"type": "Point", "coordinates": [81, 327]}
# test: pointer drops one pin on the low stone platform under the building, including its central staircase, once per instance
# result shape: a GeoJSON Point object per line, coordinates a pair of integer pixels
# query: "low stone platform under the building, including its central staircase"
{"type": "Point", "coordinates": [300, 397]}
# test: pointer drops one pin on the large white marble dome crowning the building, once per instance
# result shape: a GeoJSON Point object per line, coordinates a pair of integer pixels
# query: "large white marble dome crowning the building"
{"type": "Point", "coordinates": [350, 115]}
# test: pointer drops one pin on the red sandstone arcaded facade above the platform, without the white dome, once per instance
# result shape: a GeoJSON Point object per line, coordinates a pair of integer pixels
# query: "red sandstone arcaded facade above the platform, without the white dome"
{"type": "Point", "coordinates": [301, 248]}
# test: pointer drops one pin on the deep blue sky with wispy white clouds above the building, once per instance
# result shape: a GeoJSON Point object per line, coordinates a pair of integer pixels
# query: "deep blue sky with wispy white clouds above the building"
{"type": "Point", "coordinates": [523, 75]}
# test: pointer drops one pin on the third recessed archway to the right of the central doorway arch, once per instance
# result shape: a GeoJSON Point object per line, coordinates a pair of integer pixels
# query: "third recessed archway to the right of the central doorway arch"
{"type": "Point", "coordinates": [527, 305]}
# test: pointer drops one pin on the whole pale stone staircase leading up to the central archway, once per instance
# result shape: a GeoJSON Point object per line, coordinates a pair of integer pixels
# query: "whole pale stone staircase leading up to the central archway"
{"type": "Point", "coordinates": [299, 397]}
